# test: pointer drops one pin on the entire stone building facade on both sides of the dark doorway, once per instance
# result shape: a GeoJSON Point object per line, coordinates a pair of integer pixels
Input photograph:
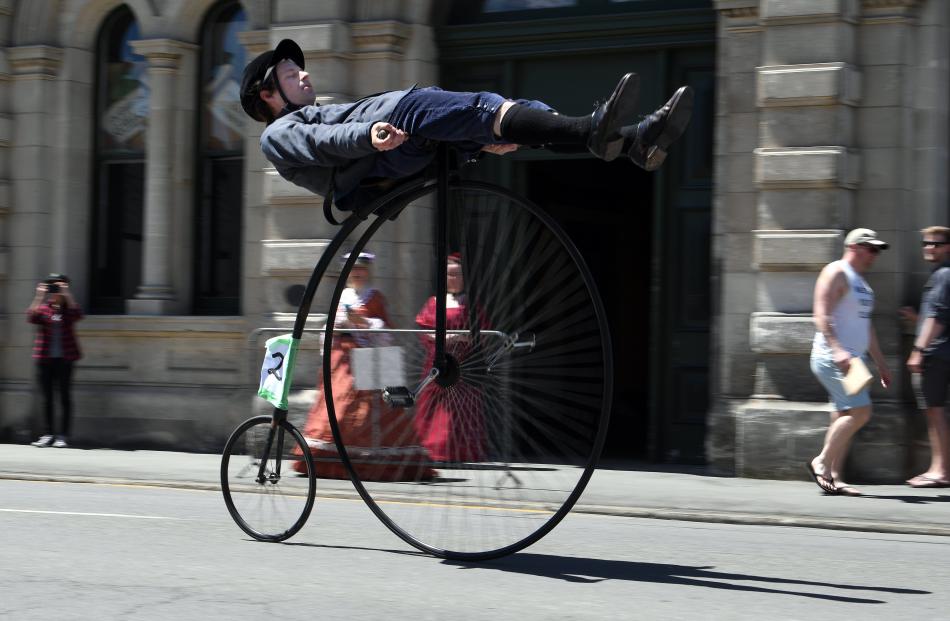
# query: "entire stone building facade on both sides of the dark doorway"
{"type": "Point", "coordinates": [823, 115]}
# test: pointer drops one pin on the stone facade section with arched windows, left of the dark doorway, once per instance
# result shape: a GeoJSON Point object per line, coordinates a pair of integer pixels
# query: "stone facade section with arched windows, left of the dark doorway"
{"type": "Point", "coordinates": [158, 371]}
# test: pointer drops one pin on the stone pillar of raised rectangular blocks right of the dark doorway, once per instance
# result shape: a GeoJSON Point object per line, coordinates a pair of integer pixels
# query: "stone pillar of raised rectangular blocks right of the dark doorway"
{"type": "Point", "coordinates": [806, 170]}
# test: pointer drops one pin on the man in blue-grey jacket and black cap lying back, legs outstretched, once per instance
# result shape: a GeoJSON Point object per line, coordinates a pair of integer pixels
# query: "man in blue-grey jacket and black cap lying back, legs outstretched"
{"type": "Point", "coordinates": [332, 149]}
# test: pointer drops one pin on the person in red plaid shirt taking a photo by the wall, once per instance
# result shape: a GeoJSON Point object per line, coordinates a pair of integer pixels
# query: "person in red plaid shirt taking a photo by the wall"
{"type": "Point", "coordinates": [54, 311]}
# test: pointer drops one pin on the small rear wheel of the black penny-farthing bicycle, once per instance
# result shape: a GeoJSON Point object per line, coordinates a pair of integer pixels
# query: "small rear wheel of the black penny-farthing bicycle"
{"type": "Point", "coordinates": [268, 478]}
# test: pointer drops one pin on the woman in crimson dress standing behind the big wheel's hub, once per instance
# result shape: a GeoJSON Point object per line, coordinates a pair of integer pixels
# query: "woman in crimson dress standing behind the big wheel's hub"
{"type": "Point", "coordinates": [449, 420]}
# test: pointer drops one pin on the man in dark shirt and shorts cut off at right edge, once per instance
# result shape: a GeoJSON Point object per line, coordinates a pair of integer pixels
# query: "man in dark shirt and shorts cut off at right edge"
{"type": "Point", "coordinates": [930, 359]}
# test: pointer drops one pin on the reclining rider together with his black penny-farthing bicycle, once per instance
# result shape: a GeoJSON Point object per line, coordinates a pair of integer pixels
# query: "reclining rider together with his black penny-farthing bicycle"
{"type": "Point", "coordinates": [537, 361]}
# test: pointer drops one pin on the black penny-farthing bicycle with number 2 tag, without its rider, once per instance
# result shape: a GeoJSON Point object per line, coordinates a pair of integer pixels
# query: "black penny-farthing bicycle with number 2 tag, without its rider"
{"type": "Point", "coordinates": [505, 403]}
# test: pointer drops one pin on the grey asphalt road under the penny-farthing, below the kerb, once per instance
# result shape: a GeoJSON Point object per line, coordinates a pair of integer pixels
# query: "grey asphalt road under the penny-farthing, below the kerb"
{"type": "Point", "coordinates": [84, 551]}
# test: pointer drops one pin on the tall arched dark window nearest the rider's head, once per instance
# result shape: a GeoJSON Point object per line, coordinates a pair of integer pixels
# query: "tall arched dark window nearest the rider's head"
{"type": "Point", "coordinates": [218, 208]}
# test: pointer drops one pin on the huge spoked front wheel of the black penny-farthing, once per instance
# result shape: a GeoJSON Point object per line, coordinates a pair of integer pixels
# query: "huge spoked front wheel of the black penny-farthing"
{"type": "Point", "coordinates": [491, 454]}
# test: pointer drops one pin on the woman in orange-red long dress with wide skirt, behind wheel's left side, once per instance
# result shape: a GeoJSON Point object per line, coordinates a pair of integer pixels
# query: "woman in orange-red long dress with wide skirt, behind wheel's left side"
{"type": "Point", "coordinates": [379, 439]}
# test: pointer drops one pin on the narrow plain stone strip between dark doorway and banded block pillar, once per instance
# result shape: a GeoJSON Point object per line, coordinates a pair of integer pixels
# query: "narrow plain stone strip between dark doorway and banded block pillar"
{"type": "Point", "coordinates": [739, 42]}
